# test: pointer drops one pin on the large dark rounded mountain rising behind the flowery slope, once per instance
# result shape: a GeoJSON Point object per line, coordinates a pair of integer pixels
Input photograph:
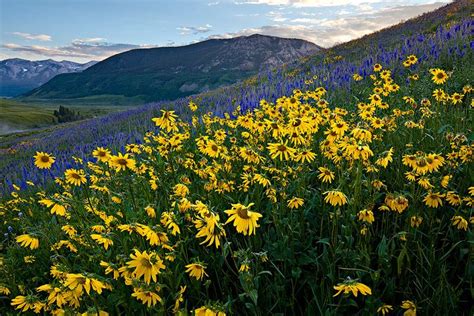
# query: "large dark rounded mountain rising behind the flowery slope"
{"type": "Point", "coordinates": [167, 73]}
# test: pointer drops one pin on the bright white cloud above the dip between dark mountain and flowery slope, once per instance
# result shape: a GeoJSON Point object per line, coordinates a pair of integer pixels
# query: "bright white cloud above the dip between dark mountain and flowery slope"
{"type": "Point", "coordinates": [327, 32]}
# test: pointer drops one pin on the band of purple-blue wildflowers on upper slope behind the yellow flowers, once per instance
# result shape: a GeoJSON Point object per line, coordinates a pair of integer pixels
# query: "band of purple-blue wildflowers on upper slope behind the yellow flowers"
{"type": "Point", "coordinates": [447, 47]}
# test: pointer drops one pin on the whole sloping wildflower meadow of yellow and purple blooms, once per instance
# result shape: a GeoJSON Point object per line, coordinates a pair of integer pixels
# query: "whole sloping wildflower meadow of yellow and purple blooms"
{"type": "Point", "coordinates": [340, 185]}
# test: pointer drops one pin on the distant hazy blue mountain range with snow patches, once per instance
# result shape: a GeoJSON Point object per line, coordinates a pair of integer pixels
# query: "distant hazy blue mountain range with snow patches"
{"type": "Point", "coordinates": [18, 76]}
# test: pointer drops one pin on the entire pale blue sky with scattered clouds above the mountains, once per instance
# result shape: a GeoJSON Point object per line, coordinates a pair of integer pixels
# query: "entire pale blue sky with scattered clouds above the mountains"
{"type": "Point", "coordinates": [85, 30]}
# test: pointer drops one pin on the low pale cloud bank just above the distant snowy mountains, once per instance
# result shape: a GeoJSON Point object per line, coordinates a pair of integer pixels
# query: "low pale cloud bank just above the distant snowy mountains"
{"type": "Point", "coordinates": [79, 49]}
